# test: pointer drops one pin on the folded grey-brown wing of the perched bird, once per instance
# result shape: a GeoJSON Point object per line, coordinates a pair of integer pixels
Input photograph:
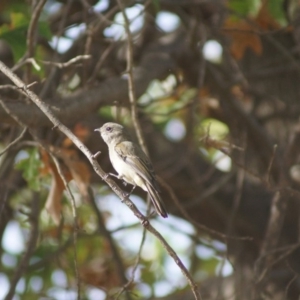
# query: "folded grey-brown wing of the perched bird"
{"type": "Point", "coordinates": [137, 160]}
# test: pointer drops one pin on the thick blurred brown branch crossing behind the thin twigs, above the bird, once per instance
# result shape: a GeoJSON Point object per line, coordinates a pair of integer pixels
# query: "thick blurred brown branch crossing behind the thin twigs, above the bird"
{"type": "Point", "coordinates": [83, 102]}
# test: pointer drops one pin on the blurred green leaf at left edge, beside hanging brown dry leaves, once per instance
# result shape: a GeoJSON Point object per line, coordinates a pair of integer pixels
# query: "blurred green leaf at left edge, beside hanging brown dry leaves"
{"type": "Point", "coordinates": [30, 167]}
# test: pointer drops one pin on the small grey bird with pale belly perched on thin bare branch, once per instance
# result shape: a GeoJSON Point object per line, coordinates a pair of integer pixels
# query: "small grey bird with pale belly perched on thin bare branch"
{"type": "Point", "coordinates": [131, 163]}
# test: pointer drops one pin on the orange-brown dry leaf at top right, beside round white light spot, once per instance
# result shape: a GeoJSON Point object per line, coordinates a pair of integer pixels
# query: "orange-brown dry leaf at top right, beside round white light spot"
{"type": "Point", "coordinates": [243, 37]}
